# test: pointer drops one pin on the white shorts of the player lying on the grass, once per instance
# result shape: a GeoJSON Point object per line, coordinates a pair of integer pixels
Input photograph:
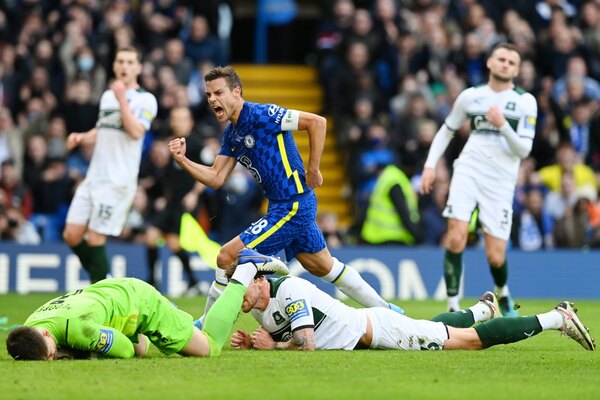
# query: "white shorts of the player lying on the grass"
{"type": "Point", "coordinates": [393, 331]}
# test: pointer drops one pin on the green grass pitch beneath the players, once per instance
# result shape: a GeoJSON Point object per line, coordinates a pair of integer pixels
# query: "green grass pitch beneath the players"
{"type": "Point", "coordinates": [548, 366]}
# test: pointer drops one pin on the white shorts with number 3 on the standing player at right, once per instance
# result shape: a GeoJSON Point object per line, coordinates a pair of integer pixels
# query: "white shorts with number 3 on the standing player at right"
{"type": "Point", "coordinates": [493, 198]}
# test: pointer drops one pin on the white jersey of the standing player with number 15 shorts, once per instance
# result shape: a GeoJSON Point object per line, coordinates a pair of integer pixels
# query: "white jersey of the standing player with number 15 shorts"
{"type": "Point", "coordinates": [117, 155]}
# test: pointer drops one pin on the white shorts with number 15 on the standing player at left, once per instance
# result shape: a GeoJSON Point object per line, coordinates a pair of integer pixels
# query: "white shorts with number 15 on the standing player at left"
{"type": "Point", "coordinates": [102, 206]}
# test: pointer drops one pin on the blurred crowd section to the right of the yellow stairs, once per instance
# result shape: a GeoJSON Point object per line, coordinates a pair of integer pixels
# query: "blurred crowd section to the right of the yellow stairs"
{"type": "Point", "coordinates": [391, 70]}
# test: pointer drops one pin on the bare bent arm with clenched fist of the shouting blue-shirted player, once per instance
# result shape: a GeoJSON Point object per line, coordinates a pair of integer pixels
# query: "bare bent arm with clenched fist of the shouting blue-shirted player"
{"type": "Point", "coordinates": [213, 176]}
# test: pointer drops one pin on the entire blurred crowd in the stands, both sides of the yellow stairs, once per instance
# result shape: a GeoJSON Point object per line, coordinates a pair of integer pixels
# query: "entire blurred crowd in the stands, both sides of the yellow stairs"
{"type": "Point", "coordinates": [390, 70]}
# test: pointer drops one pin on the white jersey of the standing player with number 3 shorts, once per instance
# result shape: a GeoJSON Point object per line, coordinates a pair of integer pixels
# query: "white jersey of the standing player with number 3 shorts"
{"type": "Point", "coordinates": [487, 152]}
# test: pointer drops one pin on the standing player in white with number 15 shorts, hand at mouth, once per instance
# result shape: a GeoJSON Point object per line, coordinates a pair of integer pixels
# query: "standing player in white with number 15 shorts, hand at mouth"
{"type": "Point", "coordinates": [102, 201]}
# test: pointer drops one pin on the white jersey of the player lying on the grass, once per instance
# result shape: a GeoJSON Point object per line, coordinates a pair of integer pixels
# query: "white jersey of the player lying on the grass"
{"type": "Point", "coordinates": [296, 303]}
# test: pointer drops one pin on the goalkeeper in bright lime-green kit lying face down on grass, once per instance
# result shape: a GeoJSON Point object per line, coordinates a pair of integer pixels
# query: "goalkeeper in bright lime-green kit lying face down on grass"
{"type": "Point", "coordinates": [117, 317]}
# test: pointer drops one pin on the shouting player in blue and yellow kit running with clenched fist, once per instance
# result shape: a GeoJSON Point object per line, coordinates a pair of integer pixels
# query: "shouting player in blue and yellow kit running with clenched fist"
{"type": "Point", "coordinates": [259, 136]}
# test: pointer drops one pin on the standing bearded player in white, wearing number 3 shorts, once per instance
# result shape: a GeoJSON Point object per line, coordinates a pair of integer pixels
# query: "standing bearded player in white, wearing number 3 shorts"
{"type": "Point", "coordinates": [503, 118]}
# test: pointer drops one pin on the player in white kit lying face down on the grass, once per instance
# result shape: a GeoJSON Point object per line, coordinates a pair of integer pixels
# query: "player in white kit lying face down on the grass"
{"type": "Point", "coordinates": [295, 315]}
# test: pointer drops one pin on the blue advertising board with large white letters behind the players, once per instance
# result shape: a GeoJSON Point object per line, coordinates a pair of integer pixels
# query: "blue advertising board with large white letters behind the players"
{"type": "Point", "coordinates": [402, 273]}
